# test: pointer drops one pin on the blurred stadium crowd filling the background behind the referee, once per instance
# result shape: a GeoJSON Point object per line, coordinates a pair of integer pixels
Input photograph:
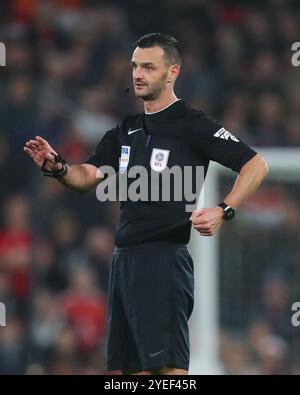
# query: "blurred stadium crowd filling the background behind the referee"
{"type": "Point", "coordinates": [66, 78]}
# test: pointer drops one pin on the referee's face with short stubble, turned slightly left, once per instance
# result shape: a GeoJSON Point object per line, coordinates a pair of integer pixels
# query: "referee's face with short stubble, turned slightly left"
{"type": "Point", "coordinates": [150, 73]}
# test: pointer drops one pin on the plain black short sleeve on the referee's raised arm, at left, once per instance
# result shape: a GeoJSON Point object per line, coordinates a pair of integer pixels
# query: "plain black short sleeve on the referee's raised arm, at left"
{"type": "Point", "coordinates": [107, 151]}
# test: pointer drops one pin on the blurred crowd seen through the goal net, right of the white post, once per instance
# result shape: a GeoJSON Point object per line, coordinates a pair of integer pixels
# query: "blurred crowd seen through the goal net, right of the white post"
{"type": "Point", "coordinates": [259, 283]}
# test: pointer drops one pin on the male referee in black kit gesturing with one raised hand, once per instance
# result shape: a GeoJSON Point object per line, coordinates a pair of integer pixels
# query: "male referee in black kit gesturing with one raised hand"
{"type": "Point", "coordinates": [151, 287]}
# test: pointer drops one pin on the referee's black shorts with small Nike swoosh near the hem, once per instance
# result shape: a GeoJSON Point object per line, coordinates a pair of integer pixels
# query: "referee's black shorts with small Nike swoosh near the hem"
{"type": "Point", "coordinates": [151, 296]}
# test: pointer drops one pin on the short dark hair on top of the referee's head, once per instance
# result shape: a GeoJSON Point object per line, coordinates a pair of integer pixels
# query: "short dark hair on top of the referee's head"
{"type": "Point", "coordinates": [169, 44]}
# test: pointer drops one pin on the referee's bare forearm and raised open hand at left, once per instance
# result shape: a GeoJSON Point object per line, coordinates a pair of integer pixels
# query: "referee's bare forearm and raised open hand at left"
{"type": "Point", "coordinates": [79, 177]}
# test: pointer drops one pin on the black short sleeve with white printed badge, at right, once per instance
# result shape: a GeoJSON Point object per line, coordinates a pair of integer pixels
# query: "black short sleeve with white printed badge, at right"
{"type": "Point", "coordinates": [213, 141]}
